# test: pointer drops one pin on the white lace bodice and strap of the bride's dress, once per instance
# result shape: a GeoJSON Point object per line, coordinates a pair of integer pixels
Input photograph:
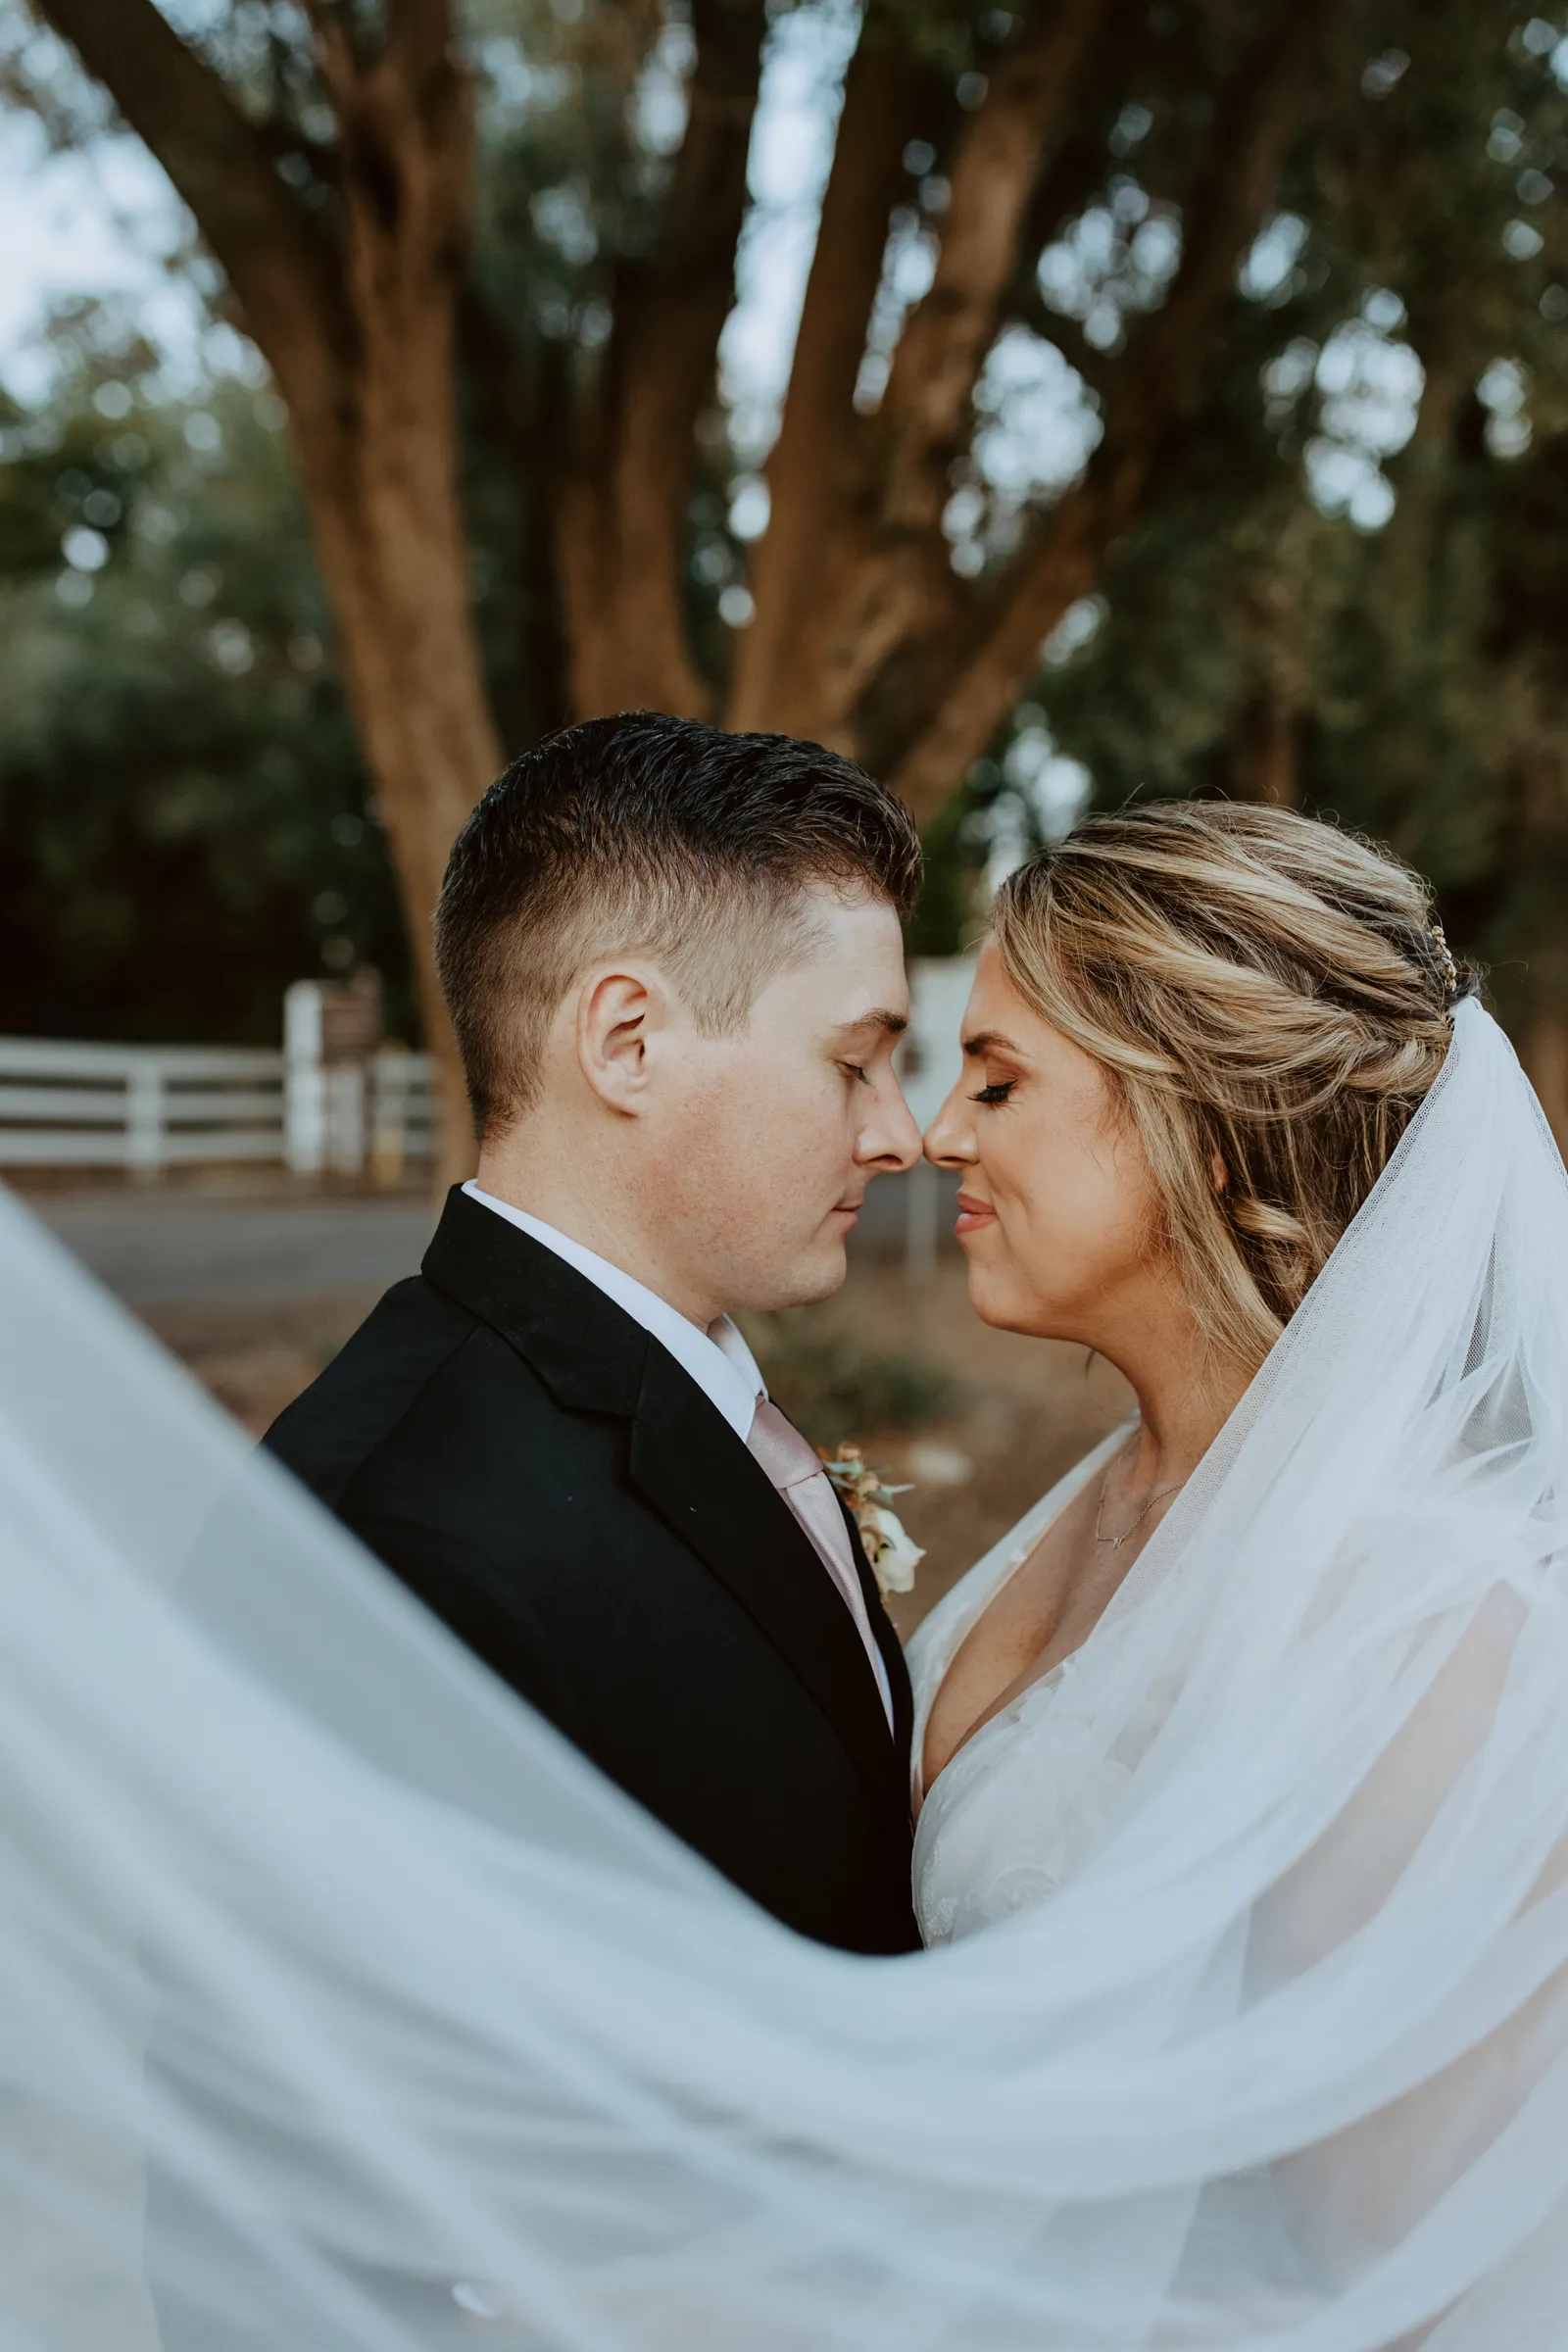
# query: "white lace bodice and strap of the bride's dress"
{"type": "Point", "coordinates": [993, 1831]}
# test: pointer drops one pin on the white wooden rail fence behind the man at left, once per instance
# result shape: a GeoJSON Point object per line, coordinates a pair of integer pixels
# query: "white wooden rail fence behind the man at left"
{"type": "Point", "coordinates": [152, 1109]}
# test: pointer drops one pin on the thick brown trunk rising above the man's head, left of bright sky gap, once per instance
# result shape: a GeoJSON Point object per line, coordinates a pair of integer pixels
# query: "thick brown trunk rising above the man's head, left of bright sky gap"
{"type": "Point", "coordinates": [626, 516]}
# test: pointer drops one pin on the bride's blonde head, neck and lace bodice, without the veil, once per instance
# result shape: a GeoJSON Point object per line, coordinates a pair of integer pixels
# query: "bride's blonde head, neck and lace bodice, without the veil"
{"type": "Point", "coordinates": [1195, 1038]}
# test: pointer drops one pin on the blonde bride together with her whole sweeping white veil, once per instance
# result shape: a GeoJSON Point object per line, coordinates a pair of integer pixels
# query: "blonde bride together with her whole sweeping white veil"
{"type": "Point", "coordinates": [1247, 1751]}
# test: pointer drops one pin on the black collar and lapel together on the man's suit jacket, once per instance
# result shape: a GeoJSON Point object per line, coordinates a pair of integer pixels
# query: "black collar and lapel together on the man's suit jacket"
{"type": "Point", "coordinates": [685, 1459]}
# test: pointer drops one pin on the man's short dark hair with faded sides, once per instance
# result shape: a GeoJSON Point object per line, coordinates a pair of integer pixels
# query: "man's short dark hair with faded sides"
{"type": "Point", "coordinates": [655, 836]}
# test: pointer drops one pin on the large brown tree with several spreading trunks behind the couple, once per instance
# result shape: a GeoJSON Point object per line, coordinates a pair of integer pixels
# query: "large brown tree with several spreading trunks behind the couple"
{"type": "Point", "coordinates": [899, 596]}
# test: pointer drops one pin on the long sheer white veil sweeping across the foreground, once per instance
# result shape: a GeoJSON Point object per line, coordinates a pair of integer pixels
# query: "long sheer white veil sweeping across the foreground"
{"type": "Point", "coordinates": [347, 2010]}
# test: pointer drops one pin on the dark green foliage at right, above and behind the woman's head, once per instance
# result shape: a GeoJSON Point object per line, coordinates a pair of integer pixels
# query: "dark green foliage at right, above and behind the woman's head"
{"type": "Point", "coordinates": [1405, 674]}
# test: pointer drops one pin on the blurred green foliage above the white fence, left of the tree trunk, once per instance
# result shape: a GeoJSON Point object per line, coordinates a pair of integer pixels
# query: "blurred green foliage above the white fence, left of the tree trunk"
{"type": "Point", "coordinates": [185, 820]}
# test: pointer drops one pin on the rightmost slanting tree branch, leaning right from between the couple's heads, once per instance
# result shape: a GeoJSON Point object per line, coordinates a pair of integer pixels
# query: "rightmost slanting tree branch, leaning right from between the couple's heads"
{"type": "Point", "coordinates": [981, 671]}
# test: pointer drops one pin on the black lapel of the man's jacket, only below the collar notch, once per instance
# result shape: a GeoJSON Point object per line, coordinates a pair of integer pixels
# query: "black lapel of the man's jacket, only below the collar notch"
{"type": "Point", "coordinates": [704, 1483]}
